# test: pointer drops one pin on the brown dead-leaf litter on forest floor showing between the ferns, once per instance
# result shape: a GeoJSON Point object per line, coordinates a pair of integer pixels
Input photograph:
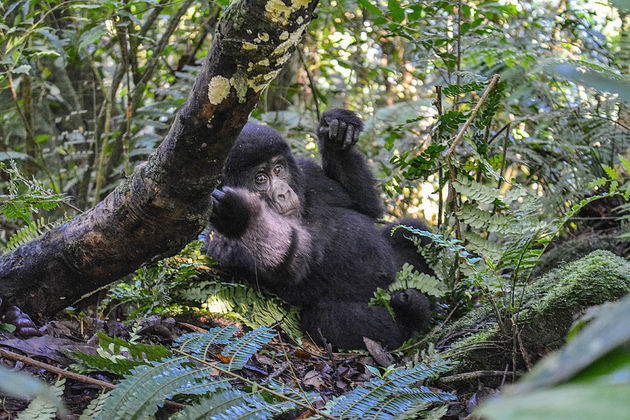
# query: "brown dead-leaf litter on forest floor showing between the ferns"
{"type": "Point", "coordinates": [330, 374]}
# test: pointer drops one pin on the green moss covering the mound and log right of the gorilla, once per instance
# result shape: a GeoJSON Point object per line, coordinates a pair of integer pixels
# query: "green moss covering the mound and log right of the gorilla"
{"type": "Point", "coordinates": [550, 306]}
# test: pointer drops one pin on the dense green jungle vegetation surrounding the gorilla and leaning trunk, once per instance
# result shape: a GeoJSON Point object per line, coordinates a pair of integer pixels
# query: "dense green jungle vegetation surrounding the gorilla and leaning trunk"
{"type": "Point", "coordinates": [504, 124]}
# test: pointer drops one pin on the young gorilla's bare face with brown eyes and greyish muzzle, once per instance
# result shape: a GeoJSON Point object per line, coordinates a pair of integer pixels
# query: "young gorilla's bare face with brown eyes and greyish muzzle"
{"type": "Point", "coordinates": [272, 181]}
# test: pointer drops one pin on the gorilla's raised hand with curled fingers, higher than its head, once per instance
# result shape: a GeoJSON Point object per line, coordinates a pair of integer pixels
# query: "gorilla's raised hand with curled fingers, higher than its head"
{"type": "Point", "coordinates": [340, 127]}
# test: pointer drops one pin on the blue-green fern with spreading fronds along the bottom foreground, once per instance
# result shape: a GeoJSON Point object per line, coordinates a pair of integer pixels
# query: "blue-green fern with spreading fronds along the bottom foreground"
{"type": "Point", "coordinates": [140, 393]}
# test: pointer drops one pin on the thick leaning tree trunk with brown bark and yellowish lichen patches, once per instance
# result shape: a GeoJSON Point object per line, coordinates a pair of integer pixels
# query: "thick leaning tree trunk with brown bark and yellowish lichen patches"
{"type": "Point", "coordinates": [163, 205]}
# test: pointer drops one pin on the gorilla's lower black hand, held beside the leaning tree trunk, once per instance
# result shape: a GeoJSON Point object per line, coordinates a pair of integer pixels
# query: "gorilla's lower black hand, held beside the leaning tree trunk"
{"type": "Point", "coordinates": [232, 210]}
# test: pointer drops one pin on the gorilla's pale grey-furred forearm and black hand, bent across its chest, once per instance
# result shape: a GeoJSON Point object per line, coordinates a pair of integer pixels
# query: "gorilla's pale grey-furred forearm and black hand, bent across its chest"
{"type": "Point", "coordinates": [251, 232]}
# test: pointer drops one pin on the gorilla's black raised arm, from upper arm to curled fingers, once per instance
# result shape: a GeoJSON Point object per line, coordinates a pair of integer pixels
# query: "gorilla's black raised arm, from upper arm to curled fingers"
{"type": "Point", "coordinates": [338, 131]}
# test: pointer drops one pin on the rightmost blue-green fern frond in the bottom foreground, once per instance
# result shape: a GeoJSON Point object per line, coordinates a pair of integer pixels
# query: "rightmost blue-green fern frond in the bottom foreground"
{"type": "Point", "coordinates": [366, 400]}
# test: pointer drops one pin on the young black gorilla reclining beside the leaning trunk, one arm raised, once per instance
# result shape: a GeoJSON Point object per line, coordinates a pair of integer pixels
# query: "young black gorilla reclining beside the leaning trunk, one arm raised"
{"type": "Point", "coordinates": [307, 234]}
